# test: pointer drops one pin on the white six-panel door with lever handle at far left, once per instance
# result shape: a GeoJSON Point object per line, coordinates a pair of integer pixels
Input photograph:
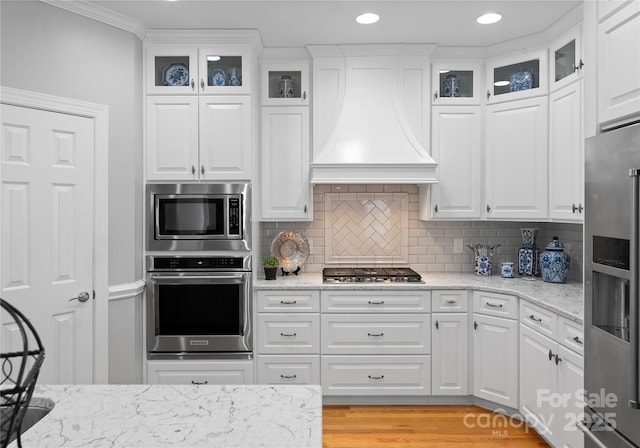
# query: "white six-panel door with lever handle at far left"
{"type": "Point", "coordinates": [47, 235]}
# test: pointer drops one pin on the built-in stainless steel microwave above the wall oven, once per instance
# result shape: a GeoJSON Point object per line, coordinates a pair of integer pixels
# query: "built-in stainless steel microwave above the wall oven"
{"type": "Point", "coordinates": [183, 217]}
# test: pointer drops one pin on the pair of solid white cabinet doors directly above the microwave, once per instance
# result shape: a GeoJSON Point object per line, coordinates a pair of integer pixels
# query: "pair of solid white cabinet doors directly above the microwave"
{"type": "Point", "coordinates": [199, 138]}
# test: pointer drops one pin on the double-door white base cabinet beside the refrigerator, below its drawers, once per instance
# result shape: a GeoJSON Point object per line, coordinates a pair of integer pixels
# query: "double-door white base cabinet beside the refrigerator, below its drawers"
{"type": "Point", "coordinates": [551, 378]}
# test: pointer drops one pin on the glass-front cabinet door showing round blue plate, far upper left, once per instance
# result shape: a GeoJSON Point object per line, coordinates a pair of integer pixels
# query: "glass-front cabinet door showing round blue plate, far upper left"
{"type": "Point", "coordinates": [171, 70]}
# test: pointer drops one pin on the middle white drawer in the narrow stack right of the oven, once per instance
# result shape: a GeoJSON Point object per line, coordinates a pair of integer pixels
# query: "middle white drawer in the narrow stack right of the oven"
{"type": "Point", "coordinates": [288, 333]}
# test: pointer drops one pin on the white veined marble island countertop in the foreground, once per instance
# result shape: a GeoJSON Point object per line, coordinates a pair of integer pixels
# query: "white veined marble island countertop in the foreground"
{"type": "Point", "coordinates": [148, 416]}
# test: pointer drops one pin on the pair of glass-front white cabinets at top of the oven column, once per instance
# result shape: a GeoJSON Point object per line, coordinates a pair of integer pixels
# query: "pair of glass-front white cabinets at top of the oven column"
{"type": "Point", "coordinates": [173, 68]}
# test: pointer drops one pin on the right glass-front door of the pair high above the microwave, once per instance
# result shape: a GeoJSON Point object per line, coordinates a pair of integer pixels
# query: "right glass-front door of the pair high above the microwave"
{"type": "Point", "coordinates": [224, 70]}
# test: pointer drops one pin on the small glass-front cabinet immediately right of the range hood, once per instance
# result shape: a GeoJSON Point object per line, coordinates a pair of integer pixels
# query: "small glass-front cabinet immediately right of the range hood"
{"type": "Point", "coordinates": [456, 82]}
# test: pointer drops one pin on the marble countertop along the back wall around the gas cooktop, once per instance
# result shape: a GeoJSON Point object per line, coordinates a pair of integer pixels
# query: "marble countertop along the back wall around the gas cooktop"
{"type": "Point", "coordinates": [565, 299]}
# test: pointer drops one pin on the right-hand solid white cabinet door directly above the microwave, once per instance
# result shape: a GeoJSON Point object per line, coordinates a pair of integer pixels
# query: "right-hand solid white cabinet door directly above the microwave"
{"type": "Point", "coordinates": [225, 138]}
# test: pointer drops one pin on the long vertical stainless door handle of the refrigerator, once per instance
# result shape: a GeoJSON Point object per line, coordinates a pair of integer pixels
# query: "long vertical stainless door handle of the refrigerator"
{"type": "Point", "coordinates": [634, 401]}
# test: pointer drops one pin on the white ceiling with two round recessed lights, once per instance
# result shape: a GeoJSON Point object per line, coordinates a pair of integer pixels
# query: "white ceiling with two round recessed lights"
{"type": "Point", "coordinates": [297, 23]}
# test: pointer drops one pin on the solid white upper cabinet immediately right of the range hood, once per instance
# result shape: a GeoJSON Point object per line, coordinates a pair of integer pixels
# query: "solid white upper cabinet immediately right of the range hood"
{"type": "Point", "coordinates": [456, 143]}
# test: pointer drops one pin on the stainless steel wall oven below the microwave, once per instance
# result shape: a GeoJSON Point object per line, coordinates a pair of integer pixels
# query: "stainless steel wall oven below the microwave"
{"type": "Point", "coordinates": [199, 307]}
